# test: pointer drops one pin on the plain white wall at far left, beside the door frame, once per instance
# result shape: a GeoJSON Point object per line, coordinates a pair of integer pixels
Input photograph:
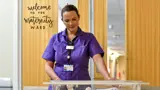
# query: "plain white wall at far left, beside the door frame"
{"type": "Point", "coordinates": [6, 38]}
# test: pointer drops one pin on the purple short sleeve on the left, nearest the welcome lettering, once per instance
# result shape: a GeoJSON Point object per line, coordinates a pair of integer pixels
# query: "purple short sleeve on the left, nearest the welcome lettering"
{"type": "Point", "coordinates": [49, 53]}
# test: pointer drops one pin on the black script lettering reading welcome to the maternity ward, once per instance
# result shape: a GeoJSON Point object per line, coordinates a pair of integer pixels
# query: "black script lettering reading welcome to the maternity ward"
{"type": "Point", "coordinates": [38, 17]}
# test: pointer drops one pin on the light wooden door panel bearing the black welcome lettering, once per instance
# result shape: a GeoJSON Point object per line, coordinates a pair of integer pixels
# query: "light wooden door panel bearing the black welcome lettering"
{"type": "Point", "coordinates": [40, 22]}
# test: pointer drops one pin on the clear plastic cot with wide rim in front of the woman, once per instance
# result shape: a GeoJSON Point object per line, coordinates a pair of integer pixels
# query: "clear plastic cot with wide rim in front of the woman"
{"type": "Point", "coordinates": [100, 85]}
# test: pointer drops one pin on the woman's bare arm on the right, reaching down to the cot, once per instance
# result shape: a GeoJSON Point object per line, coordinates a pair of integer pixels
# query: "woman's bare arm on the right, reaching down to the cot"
{"type": "Point", "coordinates": [98, 60]}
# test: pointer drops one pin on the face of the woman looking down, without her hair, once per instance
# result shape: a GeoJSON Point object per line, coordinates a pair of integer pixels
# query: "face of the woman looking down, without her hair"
{"type": "Point", "coordinates": [71, 20]}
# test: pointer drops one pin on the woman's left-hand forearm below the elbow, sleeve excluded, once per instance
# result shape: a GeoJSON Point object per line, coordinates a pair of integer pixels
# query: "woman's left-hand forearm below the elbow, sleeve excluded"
{"type": "Point", "coordinates": [50, 72]}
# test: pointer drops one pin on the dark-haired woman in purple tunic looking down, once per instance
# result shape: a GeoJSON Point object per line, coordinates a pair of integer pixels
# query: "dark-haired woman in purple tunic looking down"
{"type": "Point", "coordinates": [68, 52]}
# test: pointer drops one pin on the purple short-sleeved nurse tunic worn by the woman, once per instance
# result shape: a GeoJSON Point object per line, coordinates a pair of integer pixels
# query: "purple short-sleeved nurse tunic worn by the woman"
{"type": "Point", "coordinates": [85, 46]}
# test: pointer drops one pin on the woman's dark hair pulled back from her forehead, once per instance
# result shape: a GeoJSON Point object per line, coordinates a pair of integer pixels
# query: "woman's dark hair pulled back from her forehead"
{"type": "Point", "coordinates": [68, 8]}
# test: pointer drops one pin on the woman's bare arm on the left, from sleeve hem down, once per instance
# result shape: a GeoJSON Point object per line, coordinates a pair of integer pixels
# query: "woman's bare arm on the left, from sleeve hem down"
{"type": "Point", "coordinates": [49, 70]}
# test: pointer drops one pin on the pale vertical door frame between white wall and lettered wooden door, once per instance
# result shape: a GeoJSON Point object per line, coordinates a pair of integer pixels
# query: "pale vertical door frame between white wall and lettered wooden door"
{"type": "Point", "coordinates": [17, 44]}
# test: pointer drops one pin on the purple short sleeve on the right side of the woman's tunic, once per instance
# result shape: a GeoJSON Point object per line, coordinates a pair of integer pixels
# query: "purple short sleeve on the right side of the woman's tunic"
{"type": "Point", "coordinates": [94, 47]}
